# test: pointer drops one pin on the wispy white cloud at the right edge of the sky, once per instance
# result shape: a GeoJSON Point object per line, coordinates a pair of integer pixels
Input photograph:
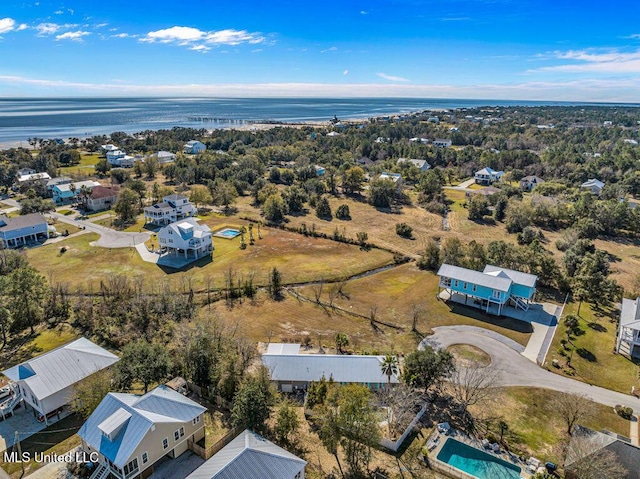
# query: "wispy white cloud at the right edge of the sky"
{"type": "Point", "coordinates": [593, 61]}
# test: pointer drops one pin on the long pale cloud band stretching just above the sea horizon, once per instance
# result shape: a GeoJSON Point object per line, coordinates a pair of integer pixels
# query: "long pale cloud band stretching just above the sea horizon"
{"type": "Point", "coordinates": [609, 90]}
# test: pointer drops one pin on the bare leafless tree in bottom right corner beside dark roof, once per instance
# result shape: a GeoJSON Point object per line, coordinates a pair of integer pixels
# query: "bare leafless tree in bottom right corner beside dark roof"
{"type": "Point", "coordinates": [586, 459]}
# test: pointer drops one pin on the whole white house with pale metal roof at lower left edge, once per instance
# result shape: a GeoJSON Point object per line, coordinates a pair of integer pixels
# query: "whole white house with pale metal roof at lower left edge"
{"type": "Point", "coordinates": [46, 382]}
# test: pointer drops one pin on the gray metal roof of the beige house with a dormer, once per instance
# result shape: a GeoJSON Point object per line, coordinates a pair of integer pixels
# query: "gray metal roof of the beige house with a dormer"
{"type": "Point", "coordinates": [162, 404]}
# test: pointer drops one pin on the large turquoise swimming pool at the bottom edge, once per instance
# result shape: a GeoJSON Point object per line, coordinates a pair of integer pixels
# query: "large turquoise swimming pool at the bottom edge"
{"type": "Point", "coordinates": [476, 462]}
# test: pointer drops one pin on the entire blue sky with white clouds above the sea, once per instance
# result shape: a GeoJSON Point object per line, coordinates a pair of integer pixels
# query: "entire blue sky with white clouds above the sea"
{"type": "Point", "coordinates": [490, 49]}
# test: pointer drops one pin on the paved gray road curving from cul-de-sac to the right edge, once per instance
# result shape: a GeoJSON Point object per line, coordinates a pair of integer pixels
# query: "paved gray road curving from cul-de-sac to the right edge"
{"type": "Point", "coordinates": [516, 370]}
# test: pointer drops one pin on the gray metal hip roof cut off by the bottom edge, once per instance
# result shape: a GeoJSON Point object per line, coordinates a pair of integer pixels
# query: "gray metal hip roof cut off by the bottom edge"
{"type": "Point", "coordinates": [250, 456]}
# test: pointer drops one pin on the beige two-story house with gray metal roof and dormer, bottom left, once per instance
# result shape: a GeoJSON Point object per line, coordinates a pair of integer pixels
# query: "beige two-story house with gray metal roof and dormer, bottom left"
{"type": "Point", "coordinates": [131, 433]}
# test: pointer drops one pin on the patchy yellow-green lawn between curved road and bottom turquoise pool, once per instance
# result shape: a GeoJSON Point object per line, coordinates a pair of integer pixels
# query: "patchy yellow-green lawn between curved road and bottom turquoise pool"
{"type": "Point", "coordinates": [535, 428]}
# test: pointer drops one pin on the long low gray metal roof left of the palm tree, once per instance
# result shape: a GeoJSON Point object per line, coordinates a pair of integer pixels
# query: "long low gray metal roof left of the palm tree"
{"type": "Point", "coordinates": [311, 367]}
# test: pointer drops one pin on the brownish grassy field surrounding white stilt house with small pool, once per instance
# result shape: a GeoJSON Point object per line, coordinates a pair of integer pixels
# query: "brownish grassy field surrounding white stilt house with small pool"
{"type": "Point", "coordinates": [298, 258]}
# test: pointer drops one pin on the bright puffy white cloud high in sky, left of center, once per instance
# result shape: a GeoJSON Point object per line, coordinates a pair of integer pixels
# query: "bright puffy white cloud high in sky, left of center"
{"type": "Point", "coordinates": [189, 36]}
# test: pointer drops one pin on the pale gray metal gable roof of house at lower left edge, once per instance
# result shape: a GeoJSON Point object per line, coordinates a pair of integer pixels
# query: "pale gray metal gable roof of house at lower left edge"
{"type": "Point", "coordinates": [56, 370]}
